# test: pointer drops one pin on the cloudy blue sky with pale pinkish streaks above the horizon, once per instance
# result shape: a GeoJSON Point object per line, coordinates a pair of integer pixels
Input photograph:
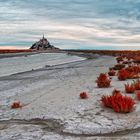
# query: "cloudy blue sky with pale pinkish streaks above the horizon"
{"type": "Point", "coordinates": [71, 24]}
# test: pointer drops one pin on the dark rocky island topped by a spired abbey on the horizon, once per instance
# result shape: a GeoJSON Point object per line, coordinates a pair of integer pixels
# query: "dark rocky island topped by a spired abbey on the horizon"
{"type": "Point", "coordinates": [43, 44]}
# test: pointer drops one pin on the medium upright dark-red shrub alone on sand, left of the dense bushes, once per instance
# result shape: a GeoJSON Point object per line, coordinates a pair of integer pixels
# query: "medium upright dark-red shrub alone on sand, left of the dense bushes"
{"type": "Point", "coordinates": [103, 81]}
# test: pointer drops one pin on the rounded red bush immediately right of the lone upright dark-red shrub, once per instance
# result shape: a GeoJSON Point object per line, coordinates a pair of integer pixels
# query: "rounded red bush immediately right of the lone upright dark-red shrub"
{"type": "Point", "coordinates": [123, 74]}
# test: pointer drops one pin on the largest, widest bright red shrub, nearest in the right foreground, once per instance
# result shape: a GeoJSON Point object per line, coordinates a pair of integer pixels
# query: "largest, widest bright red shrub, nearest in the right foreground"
{"type": "Point", "coordinates": [119, 103]}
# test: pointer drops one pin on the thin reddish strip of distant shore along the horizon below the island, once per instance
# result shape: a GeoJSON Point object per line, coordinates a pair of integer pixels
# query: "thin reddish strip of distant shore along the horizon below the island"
{"type": "Point", "coordinates": [89, 54]}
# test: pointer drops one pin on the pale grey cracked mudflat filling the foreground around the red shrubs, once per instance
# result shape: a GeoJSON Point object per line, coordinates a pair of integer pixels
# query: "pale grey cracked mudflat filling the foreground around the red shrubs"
{"type": "Point", "coordinates": [52, 95]}
